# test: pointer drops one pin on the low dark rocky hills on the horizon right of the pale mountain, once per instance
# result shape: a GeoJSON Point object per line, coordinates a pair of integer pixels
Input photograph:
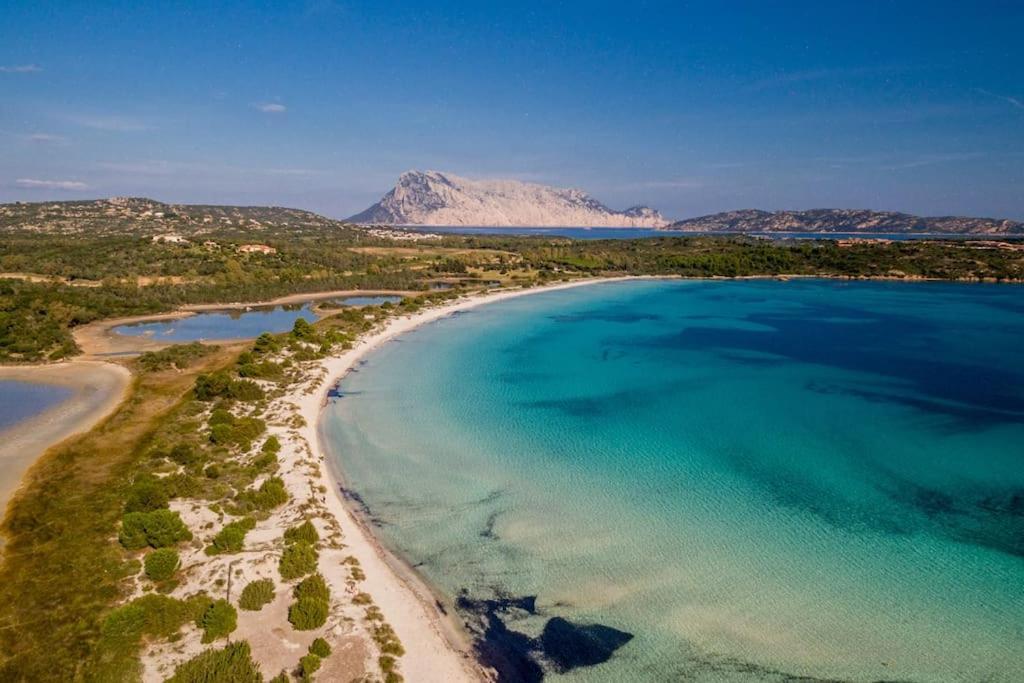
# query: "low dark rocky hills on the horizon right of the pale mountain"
{"type": "Point", "coordinates": [843, 221]}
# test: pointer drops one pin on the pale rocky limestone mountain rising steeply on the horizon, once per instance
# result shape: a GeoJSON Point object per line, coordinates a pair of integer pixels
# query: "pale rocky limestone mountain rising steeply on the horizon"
{"type": "Point", "coordinates": [432, 198]}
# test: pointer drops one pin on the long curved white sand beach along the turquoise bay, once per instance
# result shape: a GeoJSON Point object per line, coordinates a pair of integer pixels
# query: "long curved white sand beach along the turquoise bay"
{"type": "Point", "coordinates": [436, 642]}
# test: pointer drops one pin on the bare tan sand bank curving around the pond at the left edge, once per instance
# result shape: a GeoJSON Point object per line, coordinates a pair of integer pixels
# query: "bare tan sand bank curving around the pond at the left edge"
{"type": "Point", "coordinates": [98, 390]}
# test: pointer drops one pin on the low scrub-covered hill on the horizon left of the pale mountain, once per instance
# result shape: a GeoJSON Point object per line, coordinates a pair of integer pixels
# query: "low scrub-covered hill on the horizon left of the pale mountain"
{"type": "Point", "coordinates": [121, 216]}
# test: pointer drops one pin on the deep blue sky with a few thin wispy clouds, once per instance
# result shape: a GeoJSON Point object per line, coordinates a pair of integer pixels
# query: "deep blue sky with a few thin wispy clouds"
{"type": "Point", "coordinates": [692, 108]}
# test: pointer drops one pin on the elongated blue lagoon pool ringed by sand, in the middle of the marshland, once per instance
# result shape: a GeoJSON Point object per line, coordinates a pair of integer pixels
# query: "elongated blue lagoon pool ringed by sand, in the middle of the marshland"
{"type": "Point", "coordinates": [233, 324]}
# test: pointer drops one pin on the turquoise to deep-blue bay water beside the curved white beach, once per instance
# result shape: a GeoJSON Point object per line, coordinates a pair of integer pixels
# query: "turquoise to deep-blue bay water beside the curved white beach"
{"type": "Point", "coordinates": [757, 480]}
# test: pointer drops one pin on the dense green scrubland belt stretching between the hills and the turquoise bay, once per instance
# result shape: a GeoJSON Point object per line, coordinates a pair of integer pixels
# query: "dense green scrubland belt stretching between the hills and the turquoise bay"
{"type": "Point", "coordinates": [54, 283]}
